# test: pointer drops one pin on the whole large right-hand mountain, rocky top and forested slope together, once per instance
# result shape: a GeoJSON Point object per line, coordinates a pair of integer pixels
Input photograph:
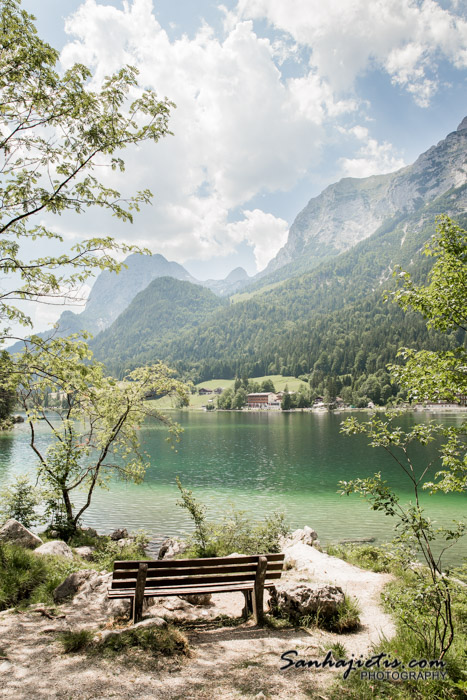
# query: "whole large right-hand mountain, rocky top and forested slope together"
{"type": "Point", "coordinates": [332, 318]}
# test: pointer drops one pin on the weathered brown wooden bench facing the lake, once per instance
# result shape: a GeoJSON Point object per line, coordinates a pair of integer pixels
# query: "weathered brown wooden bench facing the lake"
{"type": "Point", "coordinates": [249, 574]}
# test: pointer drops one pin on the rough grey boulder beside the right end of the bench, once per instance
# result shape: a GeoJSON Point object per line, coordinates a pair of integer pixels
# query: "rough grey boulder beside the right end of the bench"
{"type": "Point", "coordinates": [299, 599]}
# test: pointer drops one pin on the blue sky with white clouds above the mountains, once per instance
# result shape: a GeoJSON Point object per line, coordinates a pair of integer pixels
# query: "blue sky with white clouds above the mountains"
{"type": "Point", "coordinates": [275, 100]}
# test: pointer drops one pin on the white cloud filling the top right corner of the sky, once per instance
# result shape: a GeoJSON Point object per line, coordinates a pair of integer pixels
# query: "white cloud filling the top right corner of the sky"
{"type": "Point", "coordinates": [405, 38]}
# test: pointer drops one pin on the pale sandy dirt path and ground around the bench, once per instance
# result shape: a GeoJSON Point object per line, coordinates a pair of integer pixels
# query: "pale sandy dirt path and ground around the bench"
{"type": "Point", "coordinates": [227, 663]}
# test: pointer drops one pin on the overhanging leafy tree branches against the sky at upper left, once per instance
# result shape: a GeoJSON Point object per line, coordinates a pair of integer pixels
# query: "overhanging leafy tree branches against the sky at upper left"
{"type": "Point", "coordinates": [54, 132]}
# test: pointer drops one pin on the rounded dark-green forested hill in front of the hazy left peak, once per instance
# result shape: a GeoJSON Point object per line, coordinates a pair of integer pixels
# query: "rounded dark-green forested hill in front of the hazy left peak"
{"type": "Point", "coordinates": [155, 317]}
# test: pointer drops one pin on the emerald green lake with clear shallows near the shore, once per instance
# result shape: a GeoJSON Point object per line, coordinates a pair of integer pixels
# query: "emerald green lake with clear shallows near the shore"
{"type": "Point", "coordinates": [257, 462]}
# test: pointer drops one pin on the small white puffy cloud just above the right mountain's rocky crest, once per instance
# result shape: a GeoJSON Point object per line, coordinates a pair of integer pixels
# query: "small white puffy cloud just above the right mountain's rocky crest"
{"type": "Point", "coordinates": [372, 158]}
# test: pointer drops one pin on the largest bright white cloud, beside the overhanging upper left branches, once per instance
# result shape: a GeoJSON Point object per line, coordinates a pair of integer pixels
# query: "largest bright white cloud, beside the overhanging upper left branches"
{"type": "Point", "coordinates": [240, 129]}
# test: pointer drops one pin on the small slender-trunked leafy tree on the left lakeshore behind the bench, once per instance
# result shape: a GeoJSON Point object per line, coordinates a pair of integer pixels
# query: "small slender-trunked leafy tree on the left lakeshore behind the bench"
{"type": "Point", "coordinates": [95, 433]}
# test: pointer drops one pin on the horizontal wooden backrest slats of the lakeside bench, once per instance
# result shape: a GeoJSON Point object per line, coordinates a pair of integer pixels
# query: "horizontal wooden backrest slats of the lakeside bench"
{"type": "Point", "coordinates": [178, 572]}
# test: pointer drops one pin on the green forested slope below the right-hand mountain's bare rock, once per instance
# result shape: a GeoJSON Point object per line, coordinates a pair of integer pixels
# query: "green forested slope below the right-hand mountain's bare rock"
{"type": "Point", "coordinates": [338, 305]}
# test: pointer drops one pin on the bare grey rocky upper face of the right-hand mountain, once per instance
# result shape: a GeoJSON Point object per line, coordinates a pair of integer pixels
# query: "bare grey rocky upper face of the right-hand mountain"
{"type": "Point", "coordinates": [352, 209]}
